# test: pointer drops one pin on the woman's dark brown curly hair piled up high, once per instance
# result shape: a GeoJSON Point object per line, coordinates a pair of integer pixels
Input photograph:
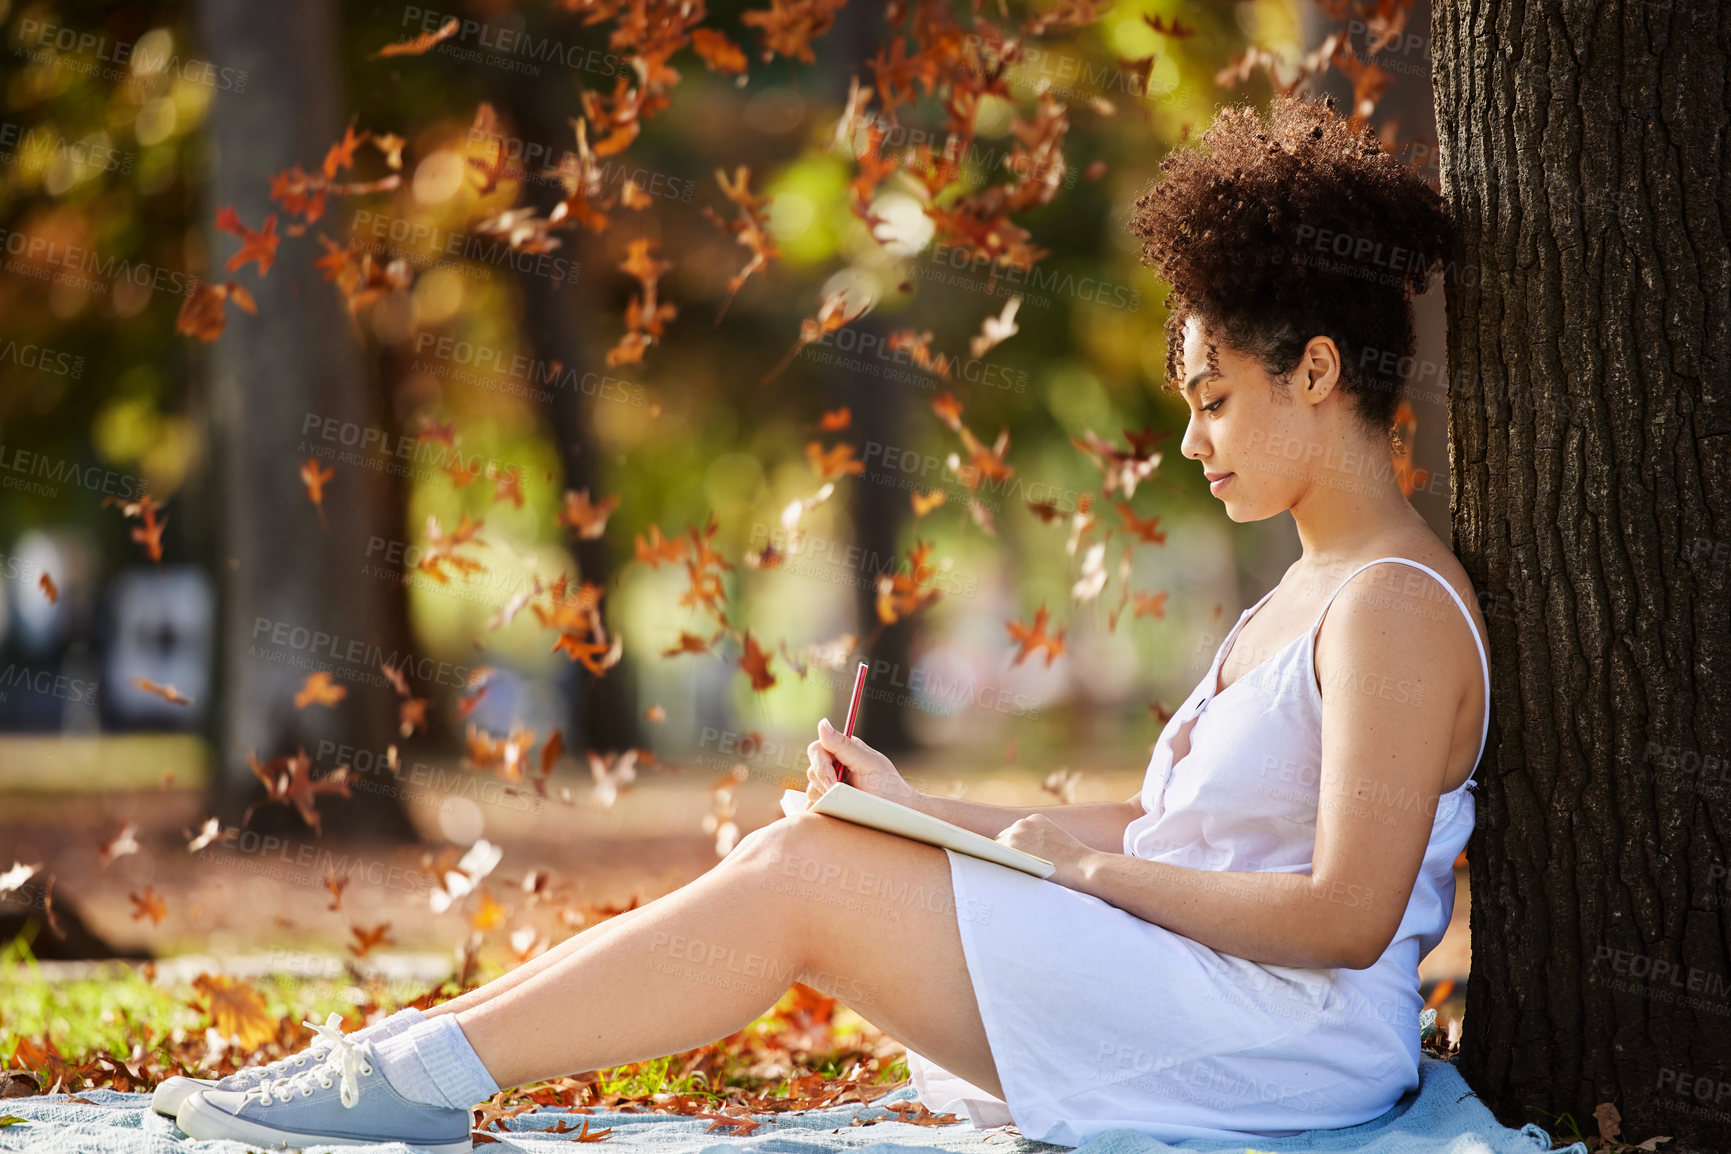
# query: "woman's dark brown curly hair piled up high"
{"type": "Point", "coordinates": [1277, 233]}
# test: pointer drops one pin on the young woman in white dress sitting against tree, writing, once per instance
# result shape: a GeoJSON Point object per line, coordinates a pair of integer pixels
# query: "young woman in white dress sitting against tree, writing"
{"type": "Point", "coordinates": [1232, 951]}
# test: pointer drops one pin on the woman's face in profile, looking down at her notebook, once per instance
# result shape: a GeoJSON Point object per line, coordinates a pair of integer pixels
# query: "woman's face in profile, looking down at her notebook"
{"type": "Point", "coordinates": [1242, 433]}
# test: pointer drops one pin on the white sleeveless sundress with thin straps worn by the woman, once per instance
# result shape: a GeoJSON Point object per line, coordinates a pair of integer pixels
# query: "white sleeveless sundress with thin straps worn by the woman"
{"type": "Point", "coordinates": [1100, 1020]}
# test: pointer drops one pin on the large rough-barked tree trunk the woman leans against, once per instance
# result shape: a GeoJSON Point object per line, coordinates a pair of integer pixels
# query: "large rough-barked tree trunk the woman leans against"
{"type": "Point", "coordinates": [1585, 160]}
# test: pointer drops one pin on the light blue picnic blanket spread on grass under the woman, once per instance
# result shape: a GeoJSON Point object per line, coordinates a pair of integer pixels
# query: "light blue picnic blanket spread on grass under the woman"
{"type": "Point", "coordinates": [1443, 1117]}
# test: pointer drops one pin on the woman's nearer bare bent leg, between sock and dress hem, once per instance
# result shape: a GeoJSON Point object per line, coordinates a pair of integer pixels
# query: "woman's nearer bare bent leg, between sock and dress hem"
{"type": "Point", "coordinates": [861, 916]}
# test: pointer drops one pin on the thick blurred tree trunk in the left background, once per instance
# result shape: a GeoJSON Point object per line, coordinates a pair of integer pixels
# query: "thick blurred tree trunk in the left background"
{"type": "Point", "coordinates": [286, 387]}
